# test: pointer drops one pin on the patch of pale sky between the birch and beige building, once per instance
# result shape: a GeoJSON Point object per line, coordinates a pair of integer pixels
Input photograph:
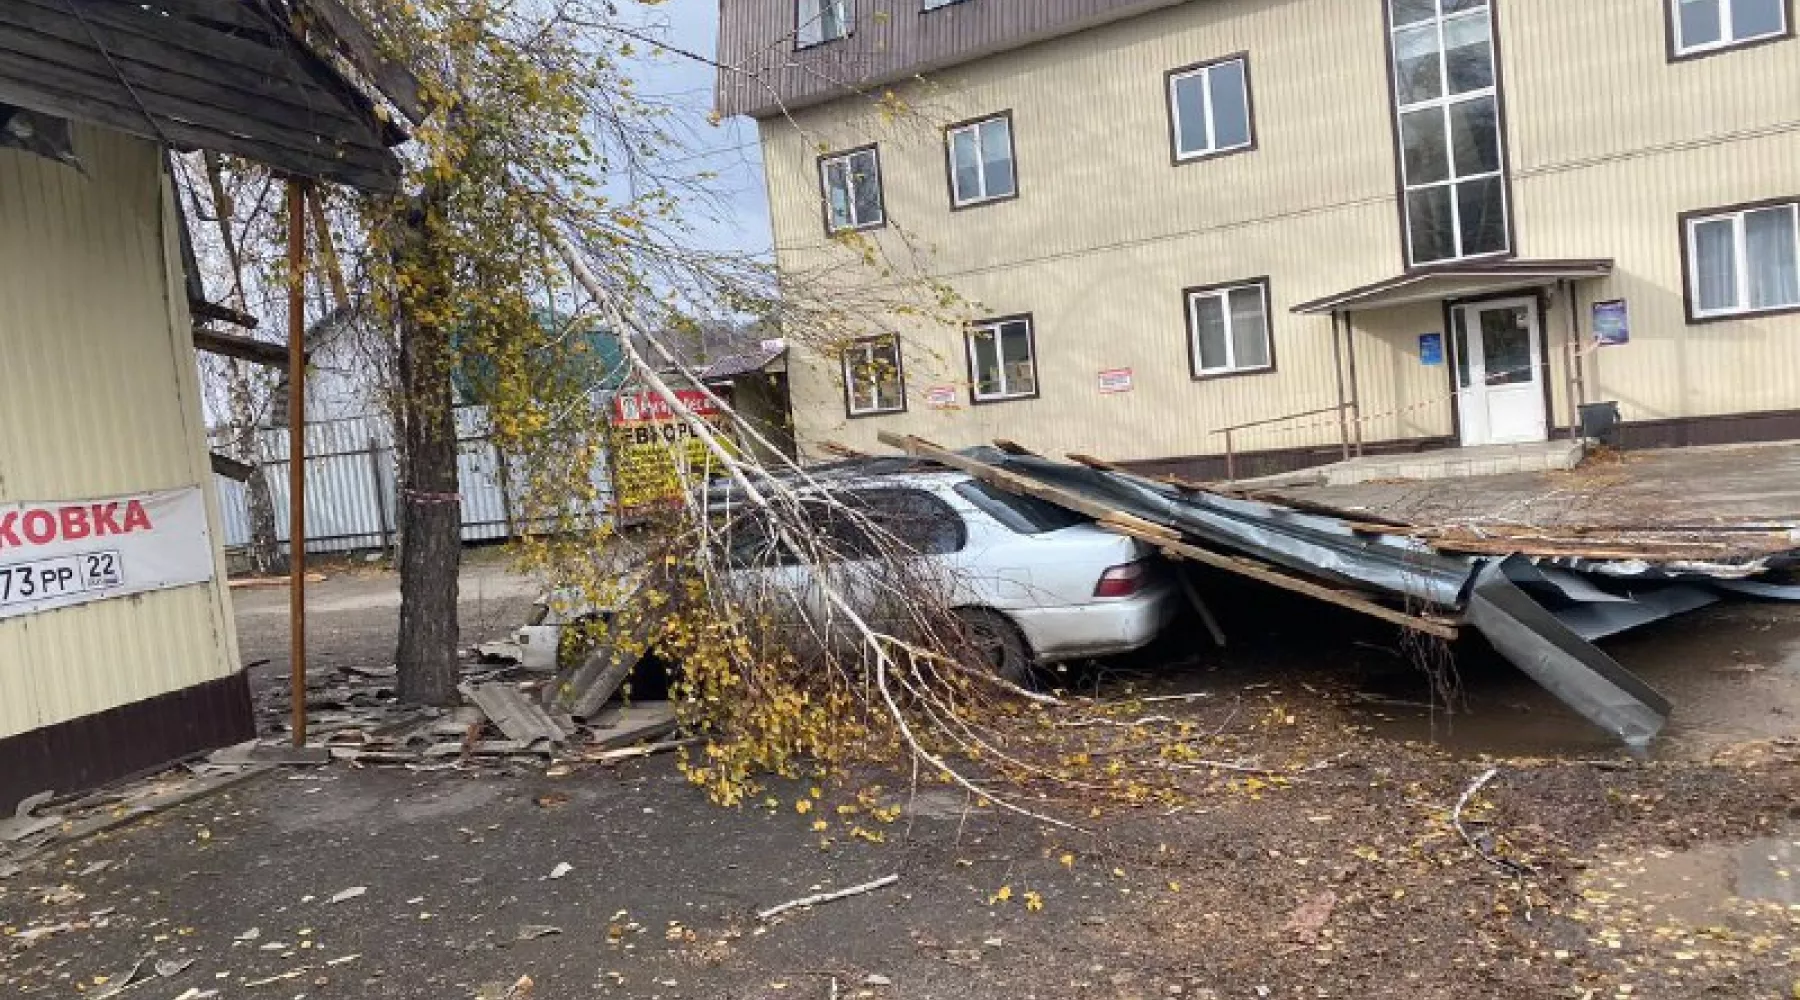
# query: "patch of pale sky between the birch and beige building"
{"type": "Point", "coordinates": [741, 219]}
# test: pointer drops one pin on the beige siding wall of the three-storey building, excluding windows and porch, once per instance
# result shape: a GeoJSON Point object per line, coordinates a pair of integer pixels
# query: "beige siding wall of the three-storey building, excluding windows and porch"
{"type": "Point", "coordinates": [1608, 145]}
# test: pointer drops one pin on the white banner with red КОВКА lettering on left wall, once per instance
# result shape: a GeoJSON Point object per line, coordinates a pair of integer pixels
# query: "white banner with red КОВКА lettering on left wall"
{"type": "Point", "coordinates": [64, 555]}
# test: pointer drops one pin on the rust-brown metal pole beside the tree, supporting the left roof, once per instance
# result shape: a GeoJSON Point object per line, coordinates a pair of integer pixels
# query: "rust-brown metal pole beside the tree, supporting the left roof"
{"type": "Point", "coordinates": [298, 458]}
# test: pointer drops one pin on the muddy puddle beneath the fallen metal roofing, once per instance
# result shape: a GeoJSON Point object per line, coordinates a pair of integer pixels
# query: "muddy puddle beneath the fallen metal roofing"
{"type": "Point", "coordinates": [1732, 674]}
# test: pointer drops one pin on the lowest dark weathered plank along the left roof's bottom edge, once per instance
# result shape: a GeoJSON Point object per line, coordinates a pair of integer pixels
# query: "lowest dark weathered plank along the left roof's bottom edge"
{"type": "Point", "coordinates": [51, 102]}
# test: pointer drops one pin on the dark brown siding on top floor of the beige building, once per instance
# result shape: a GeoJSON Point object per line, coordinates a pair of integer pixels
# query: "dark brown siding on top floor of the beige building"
{"type": "Point", "coordinates": [762, 73]}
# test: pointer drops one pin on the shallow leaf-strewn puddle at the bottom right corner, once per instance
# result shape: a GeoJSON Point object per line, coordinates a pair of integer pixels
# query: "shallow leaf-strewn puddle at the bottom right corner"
{"type": "Point", "coordinates": [1704, 886]}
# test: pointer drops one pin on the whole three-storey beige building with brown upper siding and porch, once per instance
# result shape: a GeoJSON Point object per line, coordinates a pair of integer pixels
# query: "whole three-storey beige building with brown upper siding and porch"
{"type": "Point", "coordinates": [1401, 224]}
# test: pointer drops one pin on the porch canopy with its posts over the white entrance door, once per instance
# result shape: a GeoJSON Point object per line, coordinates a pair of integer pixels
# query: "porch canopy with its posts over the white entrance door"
{"type": "Point", "coordinates": [1446, 283]}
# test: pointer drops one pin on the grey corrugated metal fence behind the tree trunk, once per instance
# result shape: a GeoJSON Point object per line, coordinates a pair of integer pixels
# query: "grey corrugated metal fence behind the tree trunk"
{"type": "Point", "coordinates": [350, 485]}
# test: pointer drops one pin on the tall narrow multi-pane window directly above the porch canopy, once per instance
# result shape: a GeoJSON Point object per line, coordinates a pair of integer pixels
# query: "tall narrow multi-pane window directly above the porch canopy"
{"type": "Point", "coordinates": [1443, 103]}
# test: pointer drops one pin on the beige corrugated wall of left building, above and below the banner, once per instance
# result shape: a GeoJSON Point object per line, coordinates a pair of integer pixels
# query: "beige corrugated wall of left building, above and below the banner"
{"type": "Point", "coordinates": [98, 397]}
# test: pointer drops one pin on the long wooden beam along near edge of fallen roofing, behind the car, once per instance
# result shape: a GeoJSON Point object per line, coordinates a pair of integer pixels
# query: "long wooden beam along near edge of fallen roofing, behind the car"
{"type": "Point", "coordinates": [1164, 539]}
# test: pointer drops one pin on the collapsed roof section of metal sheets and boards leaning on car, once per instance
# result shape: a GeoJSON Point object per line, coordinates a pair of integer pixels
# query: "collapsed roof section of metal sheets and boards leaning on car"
{"type": "Point", "coordinates": [1542, 612]}
